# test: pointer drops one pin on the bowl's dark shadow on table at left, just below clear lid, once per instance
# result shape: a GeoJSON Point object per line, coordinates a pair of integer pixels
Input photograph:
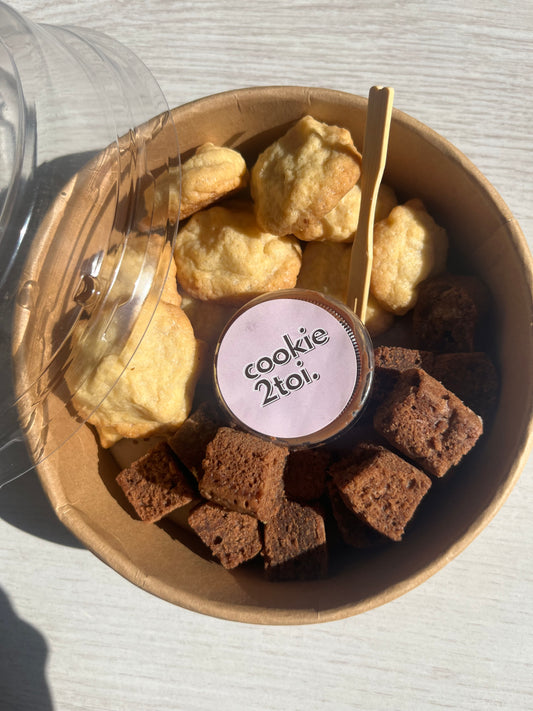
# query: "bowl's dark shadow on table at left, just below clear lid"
{"type": "Point", "coordinates": [23, 504]}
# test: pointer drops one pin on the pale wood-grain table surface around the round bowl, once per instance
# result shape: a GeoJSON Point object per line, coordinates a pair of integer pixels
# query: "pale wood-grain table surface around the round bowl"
{"type": "Point", "coordinates": [74, 635]}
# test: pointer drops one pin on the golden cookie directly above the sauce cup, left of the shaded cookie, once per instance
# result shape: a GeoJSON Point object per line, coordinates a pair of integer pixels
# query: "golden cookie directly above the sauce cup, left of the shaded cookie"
{"type": "Point", "coordinates": [223, 255]}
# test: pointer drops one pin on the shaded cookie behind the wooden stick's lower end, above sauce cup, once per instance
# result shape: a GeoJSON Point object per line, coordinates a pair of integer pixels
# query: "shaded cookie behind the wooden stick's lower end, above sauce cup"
{"type": "Point", "coordinates": [325, 268]}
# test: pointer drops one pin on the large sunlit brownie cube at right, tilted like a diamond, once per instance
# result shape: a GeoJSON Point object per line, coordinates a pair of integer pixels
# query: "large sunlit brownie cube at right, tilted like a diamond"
{"type": "Point", "coordinates": [427, 422]}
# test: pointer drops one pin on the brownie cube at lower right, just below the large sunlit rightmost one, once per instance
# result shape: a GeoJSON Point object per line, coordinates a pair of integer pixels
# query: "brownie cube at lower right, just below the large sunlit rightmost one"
{"type": "Point", "coordinates": [380, 488]}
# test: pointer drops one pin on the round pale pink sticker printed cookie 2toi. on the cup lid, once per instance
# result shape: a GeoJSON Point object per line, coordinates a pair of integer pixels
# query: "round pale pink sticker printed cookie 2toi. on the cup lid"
{"type": "Point", "coordinates": [287, 368]}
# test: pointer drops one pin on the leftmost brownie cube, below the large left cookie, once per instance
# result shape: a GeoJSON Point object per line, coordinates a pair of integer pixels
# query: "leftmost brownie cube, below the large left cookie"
{"type": "Point", "coordinates": [156, 484]}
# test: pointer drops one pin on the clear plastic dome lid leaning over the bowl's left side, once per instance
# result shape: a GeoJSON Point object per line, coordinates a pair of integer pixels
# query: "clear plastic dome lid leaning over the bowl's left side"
{"type": "Point", "coordinates": [84, 252]}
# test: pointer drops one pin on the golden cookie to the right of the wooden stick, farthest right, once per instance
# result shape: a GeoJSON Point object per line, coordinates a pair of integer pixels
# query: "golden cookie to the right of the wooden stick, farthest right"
{"type": "Point", "coordinates": [408, 247]}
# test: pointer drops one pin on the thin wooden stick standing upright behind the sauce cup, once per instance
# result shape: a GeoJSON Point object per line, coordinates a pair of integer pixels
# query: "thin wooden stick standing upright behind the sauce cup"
{"type": "Point", "coordinates": [375, 145]}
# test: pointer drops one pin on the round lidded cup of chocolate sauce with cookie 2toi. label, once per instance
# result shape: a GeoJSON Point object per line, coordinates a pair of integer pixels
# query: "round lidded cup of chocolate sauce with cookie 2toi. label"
{"type": "Point", "coordinates": [294, 367]}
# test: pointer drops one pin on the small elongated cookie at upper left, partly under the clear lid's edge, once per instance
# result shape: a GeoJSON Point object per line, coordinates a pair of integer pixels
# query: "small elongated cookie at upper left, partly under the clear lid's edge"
{"type": "Point", "coordinates": [210, 174]}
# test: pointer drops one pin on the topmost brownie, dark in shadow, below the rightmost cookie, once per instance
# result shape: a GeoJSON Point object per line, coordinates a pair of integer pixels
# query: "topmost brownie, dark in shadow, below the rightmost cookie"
{"type": "Point", "coordinates": [448, 313]}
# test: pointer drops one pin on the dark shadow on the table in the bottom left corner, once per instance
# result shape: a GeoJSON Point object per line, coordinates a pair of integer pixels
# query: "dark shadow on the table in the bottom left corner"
{"type": "Point", "coordinates": [23, 656]}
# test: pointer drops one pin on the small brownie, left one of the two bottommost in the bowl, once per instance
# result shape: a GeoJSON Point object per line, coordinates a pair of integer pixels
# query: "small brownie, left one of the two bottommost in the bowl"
{"type": "Point", "coordinates": [232, 537]}
